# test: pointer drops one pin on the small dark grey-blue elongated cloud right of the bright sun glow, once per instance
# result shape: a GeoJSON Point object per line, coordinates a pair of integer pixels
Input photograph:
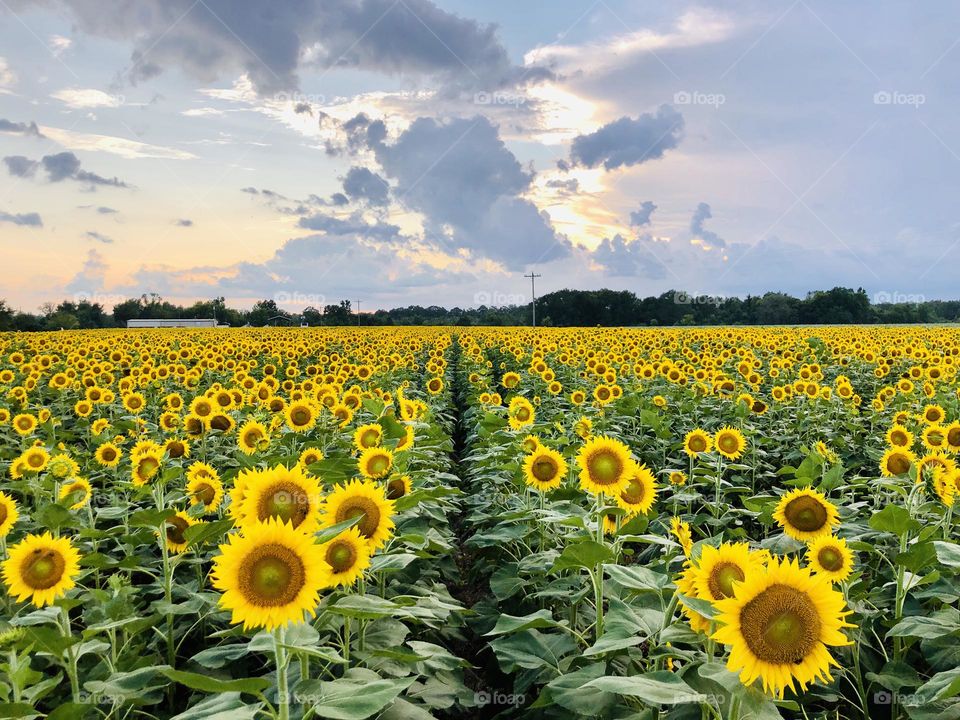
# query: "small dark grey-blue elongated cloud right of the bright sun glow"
{"type": "Point", "coordinates": [629, 141]}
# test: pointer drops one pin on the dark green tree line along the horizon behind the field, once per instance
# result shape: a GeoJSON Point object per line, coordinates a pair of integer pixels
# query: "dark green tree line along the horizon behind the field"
{"type": "Point", "coordinates": [607, 308]}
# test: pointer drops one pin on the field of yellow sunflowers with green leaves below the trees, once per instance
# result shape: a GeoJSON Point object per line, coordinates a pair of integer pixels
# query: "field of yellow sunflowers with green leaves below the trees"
{"type": "Point", "coordinates": [414, 523]}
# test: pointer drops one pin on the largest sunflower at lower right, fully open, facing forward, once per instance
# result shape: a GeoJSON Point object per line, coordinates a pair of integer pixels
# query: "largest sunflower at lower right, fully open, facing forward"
{"type": "Point", "coordinates": [778, 626]}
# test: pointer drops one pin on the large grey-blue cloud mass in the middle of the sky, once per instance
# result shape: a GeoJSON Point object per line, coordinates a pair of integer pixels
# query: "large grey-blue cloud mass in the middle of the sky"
{"type": "Point", "coordinates": [468, 185]}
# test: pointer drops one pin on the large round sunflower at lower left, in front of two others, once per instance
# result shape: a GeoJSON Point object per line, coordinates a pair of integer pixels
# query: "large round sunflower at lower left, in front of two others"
{"type": "Point", "coordinates": [270, 575]}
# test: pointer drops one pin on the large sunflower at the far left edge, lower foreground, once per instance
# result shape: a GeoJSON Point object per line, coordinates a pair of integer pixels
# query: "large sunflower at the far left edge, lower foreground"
{"type": "Point", "coordinates": [42, 568]}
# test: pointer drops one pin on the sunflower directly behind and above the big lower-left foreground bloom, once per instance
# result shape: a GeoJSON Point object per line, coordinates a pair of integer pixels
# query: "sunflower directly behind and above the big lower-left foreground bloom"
{"type": "Point", "coordinates": [290, 495]}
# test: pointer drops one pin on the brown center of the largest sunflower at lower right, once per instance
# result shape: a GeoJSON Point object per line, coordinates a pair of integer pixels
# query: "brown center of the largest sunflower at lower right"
{"type": "Point", "coordinates": [781, 625]}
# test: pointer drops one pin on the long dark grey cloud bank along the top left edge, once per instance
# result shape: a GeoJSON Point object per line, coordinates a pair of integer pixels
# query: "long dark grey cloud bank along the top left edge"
{"type": "Point", "coordinates": [271, 41]}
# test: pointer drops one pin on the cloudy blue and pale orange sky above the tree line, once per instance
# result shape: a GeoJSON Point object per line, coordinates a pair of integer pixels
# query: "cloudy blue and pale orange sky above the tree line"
{"type": "Point", "coordinates": [403, 152]}
